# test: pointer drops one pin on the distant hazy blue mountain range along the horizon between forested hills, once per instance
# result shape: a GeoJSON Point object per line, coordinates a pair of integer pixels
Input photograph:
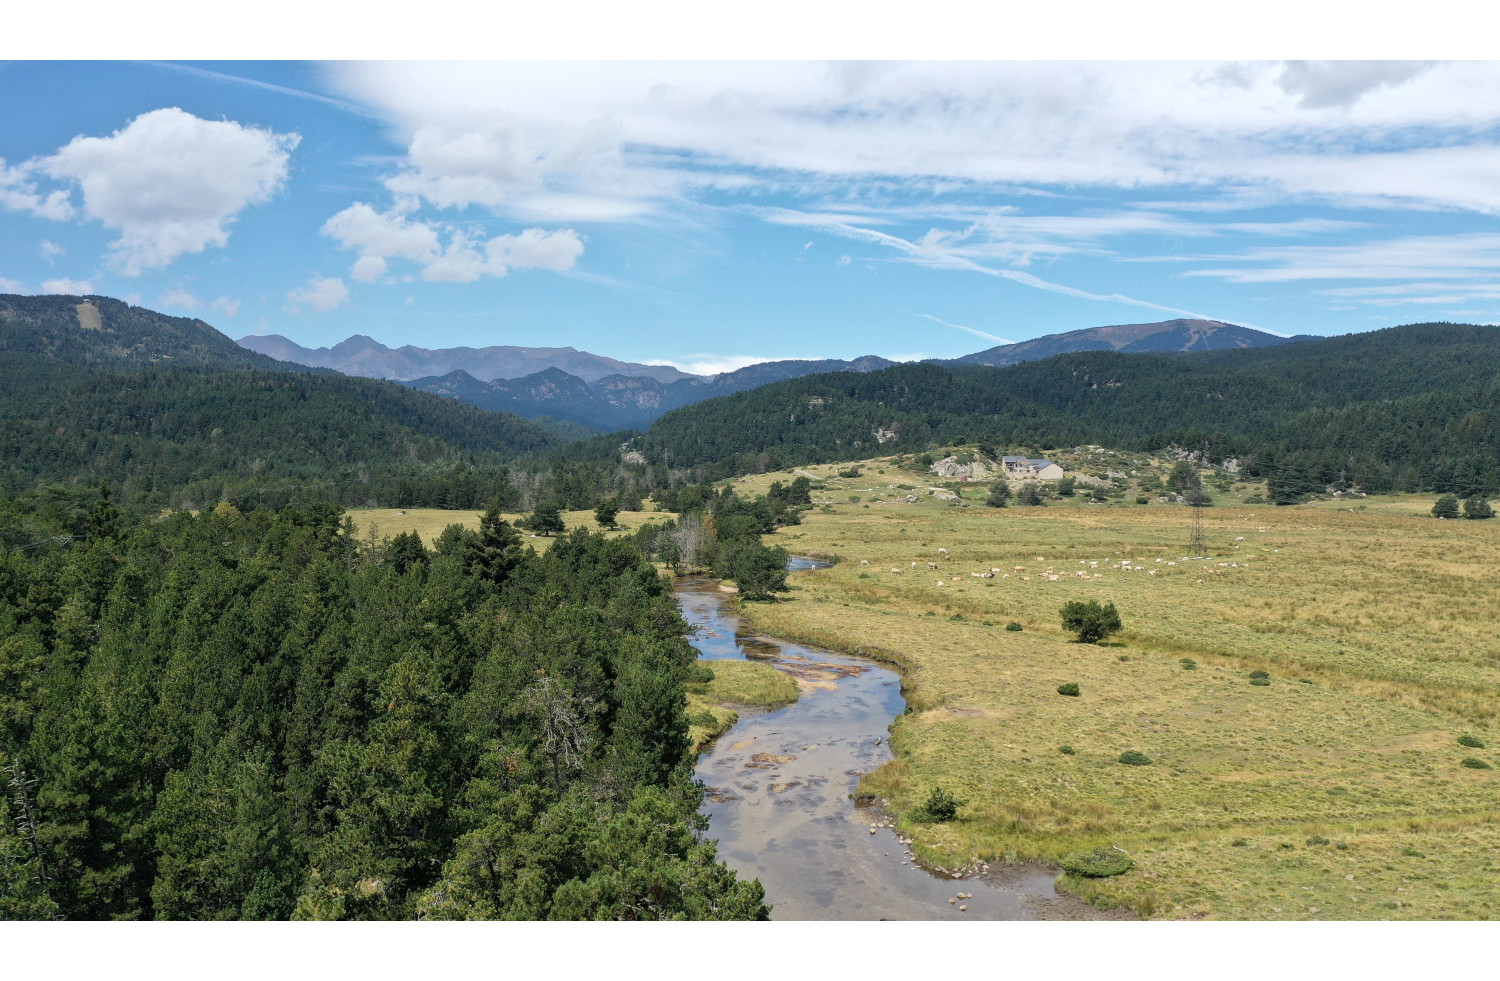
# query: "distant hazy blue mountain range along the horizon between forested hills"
{"type": "Point", "coordinates": [605, 395]}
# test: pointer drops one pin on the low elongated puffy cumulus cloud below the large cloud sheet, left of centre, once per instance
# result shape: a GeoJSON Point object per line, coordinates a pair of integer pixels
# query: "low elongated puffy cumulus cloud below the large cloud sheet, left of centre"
{"type": "Point", "coordinates": [464, 257]}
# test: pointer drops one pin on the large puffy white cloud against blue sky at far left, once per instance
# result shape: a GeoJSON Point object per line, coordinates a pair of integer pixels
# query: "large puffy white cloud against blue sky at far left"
{"type": "Point", "coordinates": [172, 184]}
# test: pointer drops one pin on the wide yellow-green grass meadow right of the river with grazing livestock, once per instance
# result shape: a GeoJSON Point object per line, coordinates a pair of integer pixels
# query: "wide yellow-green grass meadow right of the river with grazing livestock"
{"type": "Point", "coordinates": [1376, 623]}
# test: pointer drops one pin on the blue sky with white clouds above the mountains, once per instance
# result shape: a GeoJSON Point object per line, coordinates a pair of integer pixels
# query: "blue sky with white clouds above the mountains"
{"type": "Point", "coordinates": [719, 214]}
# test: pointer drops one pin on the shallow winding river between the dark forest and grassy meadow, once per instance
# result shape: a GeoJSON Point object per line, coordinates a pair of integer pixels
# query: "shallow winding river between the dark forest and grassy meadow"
{"type": "Point", "coordinates": [788, 818]}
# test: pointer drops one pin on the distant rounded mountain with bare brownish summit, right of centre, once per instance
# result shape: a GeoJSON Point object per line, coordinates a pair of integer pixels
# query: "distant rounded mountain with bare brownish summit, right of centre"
{"type": "Point", "coordinates": [1162, 338]}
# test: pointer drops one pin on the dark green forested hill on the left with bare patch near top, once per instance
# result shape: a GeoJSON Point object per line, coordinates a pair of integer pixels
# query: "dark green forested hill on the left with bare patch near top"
{"type": "Point", "coordinates": [175, 413]}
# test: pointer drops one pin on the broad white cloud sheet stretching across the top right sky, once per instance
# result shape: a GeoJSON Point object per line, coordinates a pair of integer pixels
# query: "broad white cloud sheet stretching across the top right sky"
{"type": "Point", "coordinates": [641, 133]}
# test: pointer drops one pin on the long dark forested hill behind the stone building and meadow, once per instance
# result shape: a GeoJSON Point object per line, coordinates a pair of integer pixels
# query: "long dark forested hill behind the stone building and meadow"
{"type": "Point", "coordinates": [1403, 407]}
